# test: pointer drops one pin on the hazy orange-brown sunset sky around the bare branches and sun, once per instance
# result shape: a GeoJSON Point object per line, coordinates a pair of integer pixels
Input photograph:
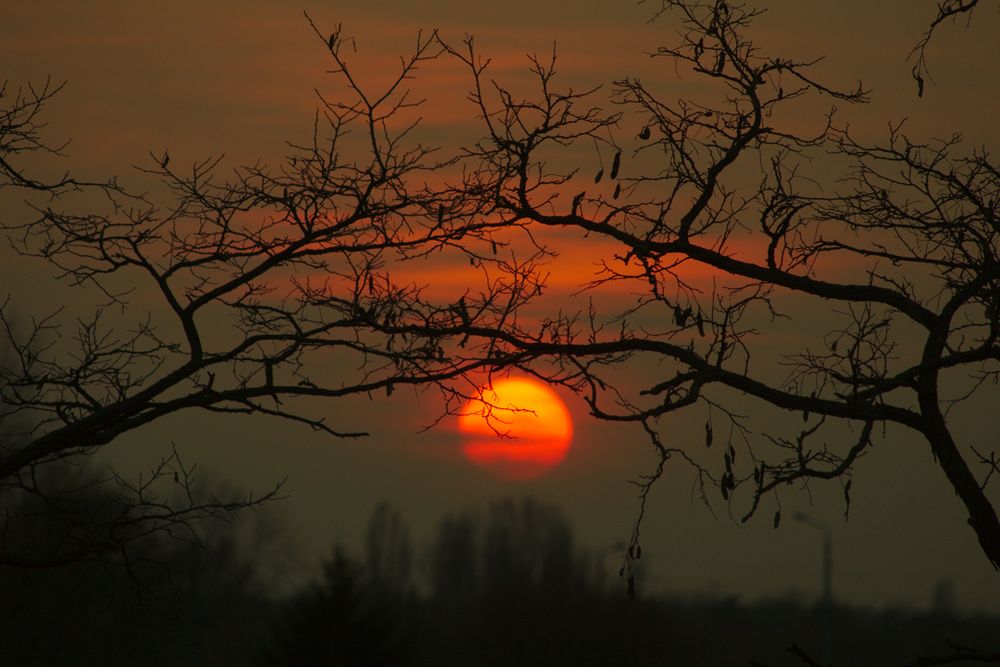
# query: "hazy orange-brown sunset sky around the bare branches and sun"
{"type": "Point", "coordinates": [240, 78]}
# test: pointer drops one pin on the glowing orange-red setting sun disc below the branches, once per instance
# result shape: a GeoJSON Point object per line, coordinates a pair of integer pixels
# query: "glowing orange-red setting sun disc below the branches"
{"type": "Point", "coordinates": [518, 428]}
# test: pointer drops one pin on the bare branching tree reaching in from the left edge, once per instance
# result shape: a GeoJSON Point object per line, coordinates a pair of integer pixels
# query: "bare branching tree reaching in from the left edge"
{"type": "Point", "coordinates": [263, 280]}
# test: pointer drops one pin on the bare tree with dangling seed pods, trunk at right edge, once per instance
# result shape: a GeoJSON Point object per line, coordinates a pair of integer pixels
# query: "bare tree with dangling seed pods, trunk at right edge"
{"type": "Point", "coordinates": [895, 245]}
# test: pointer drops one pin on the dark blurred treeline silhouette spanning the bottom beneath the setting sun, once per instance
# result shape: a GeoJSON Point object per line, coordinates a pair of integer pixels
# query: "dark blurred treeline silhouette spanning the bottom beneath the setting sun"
{"type": "Point", "coordinates": [502, 586]}
